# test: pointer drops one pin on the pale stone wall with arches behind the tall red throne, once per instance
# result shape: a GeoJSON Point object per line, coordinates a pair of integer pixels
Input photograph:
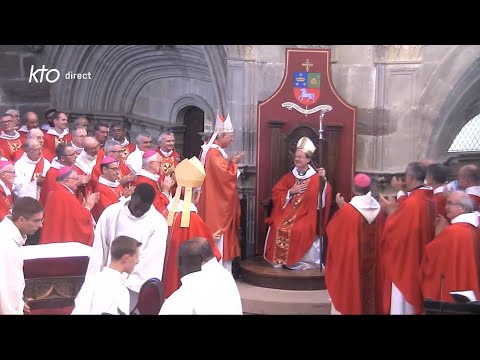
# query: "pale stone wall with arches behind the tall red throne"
{"type": "Point", "coordinates": [411, 99]}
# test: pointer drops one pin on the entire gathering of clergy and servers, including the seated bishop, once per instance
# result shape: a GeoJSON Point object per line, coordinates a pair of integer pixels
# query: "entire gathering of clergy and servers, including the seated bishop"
{"type": "Point", "coordinates": [145, 212]}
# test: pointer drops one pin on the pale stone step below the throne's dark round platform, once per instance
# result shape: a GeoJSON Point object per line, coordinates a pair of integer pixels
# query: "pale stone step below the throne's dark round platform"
{"type": "Point", "coordinates": [267, 301]}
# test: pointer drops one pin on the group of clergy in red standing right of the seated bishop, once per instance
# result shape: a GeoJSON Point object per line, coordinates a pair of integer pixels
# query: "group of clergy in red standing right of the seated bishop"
{"type": "Point", "coordinates": [422, 243]}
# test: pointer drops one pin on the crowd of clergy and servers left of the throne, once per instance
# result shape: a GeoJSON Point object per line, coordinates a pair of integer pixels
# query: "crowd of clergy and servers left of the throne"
{"type": "Point", "coordinates": [133, 206]}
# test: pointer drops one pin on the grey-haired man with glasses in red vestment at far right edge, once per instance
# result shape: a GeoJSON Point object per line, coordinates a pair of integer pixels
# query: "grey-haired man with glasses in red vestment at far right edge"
{"type": "Point", "coordinates": [451, 261]}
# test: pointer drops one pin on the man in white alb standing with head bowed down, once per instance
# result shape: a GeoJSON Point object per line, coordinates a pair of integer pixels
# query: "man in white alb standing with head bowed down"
{"type": "Point", "coordinates": [138, 219]}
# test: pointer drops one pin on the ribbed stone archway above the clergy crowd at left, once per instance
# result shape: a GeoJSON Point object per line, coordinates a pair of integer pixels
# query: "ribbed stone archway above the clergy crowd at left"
{"type": "Point", "coordinates": [121, 73]}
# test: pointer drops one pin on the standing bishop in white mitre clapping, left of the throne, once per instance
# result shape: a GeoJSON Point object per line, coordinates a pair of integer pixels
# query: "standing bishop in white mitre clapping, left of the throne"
{"type": "Point", "coordinates": [219, 204]}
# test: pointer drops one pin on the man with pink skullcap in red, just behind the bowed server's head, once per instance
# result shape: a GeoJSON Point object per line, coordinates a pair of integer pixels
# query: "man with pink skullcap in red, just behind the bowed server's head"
{"type": "Point", "coordinates": [149, 174]}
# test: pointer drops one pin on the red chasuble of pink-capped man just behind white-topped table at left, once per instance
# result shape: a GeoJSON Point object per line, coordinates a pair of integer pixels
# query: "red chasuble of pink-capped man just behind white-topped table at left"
{"type": "Point", "coordinates": [66, 220]}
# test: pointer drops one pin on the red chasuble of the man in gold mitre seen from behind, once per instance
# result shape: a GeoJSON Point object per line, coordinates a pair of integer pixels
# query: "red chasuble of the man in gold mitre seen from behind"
{"type": "Point", "coordinates": [176, 236]}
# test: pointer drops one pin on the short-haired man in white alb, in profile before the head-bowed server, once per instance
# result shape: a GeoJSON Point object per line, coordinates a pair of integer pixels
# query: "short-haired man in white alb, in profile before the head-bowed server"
{"type": "Point", "coordinates": [104, 292]}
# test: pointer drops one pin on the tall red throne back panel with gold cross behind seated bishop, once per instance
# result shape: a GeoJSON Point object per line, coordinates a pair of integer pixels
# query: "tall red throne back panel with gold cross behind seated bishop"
{"type": "Point", "coordinates": [339, 127]}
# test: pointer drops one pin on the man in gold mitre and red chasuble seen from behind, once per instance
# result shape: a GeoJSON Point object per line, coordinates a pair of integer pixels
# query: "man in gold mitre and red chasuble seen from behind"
{"type": "Point", "coordinates": [183, 221]}
